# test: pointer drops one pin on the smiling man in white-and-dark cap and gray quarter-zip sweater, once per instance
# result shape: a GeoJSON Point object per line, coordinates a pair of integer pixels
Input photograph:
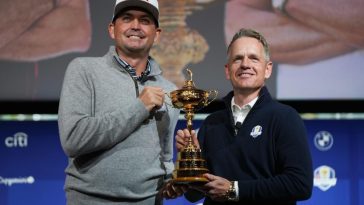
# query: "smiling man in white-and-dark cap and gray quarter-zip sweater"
{"type": "Point", "coordinates": [115, 124]}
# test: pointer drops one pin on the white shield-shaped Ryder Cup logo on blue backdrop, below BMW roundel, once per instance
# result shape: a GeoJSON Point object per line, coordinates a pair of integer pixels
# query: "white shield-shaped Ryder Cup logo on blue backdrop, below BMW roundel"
{"type": "Point", "coordinates": [324, 177]}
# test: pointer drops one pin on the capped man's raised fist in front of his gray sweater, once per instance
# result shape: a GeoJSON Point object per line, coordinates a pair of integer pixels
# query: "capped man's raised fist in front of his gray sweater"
{"type": "Point", "coordinates": [152, 97]}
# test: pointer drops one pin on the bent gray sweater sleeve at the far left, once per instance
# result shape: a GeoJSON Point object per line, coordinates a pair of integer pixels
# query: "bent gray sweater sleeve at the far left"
{"type": "Point", "coordinates": [81, 132]}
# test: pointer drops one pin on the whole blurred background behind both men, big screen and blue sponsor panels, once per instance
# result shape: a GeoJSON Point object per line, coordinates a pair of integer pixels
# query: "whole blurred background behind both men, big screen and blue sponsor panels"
{"type": "Point", "coordinates": [317, 50]}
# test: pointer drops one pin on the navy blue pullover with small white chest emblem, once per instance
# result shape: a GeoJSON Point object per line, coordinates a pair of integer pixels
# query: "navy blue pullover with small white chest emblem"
{"type": "Point", "coordinates": [268, 155]}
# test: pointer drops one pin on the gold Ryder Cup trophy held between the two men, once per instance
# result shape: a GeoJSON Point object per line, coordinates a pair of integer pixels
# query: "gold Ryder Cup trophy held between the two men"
{"type": "Point", "coordinates": [190, 166]}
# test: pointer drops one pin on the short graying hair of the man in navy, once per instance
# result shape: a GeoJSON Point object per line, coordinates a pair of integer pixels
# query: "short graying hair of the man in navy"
{"type": "Point", "coordinates": [253, 34]}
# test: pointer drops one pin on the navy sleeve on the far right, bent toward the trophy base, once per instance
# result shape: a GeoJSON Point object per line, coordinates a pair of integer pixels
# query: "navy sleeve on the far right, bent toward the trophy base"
{"type": "Point", "coordinates": [293, 164]}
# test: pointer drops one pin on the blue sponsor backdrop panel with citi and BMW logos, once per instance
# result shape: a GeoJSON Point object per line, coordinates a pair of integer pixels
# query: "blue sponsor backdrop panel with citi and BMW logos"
{"type": "Point", "coordinates": [32, 163]}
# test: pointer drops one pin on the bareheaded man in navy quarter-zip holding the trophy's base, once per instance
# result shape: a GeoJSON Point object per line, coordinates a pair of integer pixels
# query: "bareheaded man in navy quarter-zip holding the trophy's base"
{"type": "Point", "coordinates": [256, 148]}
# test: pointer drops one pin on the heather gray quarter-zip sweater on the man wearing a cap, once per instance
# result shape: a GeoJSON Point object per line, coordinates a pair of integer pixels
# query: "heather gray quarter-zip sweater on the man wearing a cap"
{"type": "Point", "coordinates": [118, 151]}
